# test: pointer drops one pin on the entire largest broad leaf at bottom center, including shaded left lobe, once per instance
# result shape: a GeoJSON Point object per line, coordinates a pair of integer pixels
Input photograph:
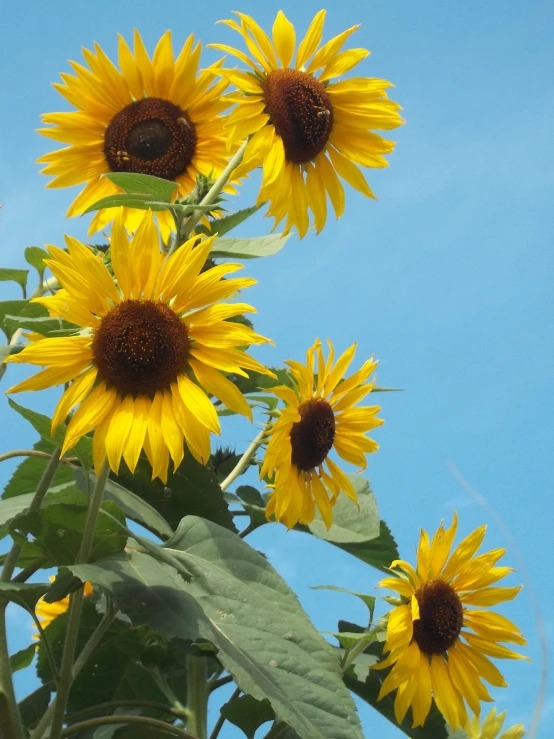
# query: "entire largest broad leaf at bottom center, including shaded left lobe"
{"type": "Point", "coordinates": [237, 601]}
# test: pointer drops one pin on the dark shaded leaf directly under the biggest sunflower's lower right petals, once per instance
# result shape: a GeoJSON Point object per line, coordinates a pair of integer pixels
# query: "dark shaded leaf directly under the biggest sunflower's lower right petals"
{"type": "Point", "coordinates": [192, 490]}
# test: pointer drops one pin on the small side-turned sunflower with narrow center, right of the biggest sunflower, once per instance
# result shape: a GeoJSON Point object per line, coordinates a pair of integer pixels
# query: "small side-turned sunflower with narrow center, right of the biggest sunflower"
{"type": "Point", "coordinates": [319, 416]}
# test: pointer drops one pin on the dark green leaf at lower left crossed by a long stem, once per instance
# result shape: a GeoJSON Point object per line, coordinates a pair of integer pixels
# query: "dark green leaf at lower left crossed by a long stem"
{"type": "Point", "coordinates": [58, 531]}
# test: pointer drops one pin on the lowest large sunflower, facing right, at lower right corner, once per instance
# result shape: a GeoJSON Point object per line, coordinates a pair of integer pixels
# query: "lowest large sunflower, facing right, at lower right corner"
{"type": "Point", "coordinates": [439, 643]}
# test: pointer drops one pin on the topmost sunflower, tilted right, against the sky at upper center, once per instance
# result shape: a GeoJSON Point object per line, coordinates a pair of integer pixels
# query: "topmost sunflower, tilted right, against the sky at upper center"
{"type": "Point", "coordinates": [305, 129]}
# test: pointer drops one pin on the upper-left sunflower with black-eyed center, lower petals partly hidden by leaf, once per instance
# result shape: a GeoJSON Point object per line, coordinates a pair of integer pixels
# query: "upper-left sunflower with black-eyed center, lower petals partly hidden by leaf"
{"type": "Point", "coordinates": [156, 116]}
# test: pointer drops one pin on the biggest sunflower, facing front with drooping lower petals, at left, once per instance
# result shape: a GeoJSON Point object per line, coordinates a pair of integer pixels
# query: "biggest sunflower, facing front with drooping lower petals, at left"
{"type": "Point", "coordinates": [148, 348]}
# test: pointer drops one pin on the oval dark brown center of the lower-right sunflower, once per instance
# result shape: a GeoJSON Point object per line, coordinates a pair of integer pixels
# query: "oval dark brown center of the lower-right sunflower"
{"type": "Point", "coordinates": [441, 617]}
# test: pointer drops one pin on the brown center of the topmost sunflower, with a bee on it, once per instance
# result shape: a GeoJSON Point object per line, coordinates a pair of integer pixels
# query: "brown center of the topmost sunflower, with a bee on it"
{"type": "Point", "coordinates": [301, 111]}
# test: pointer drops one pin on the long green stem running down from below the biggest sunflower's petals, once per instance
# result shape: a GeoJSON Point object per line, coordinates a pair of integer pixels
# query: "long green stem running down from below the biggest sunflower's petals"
{"type": "Point", "coordinates": [57, 707]}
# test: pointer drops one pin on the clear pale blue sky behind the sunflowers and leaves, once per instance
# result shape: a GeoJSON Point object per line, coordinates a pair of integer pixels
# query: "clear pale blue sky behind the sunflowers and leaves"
{"type": "Point", "coordinates": [447, 278]}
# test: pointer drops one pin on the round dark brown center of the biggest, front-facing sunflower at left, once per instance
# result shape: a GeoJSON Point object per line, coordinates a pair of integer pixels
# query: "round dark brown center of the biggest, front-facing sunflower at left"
{"type": "Point", "coordinates": [140, 347]}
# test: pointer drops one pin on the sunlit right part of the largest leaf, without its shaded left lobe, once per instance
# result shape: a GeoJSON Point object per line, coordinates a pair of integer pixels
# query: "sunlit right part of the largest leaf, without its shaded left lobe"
{"type": "Point", "coordinates": [264, 637]}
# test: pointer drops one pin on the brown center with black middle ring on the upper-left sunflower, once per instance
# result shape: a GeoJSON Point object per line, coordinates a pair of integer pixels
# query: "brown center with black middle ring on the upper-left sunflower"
{"type": "Point", "coordinates": [150, 136]}
